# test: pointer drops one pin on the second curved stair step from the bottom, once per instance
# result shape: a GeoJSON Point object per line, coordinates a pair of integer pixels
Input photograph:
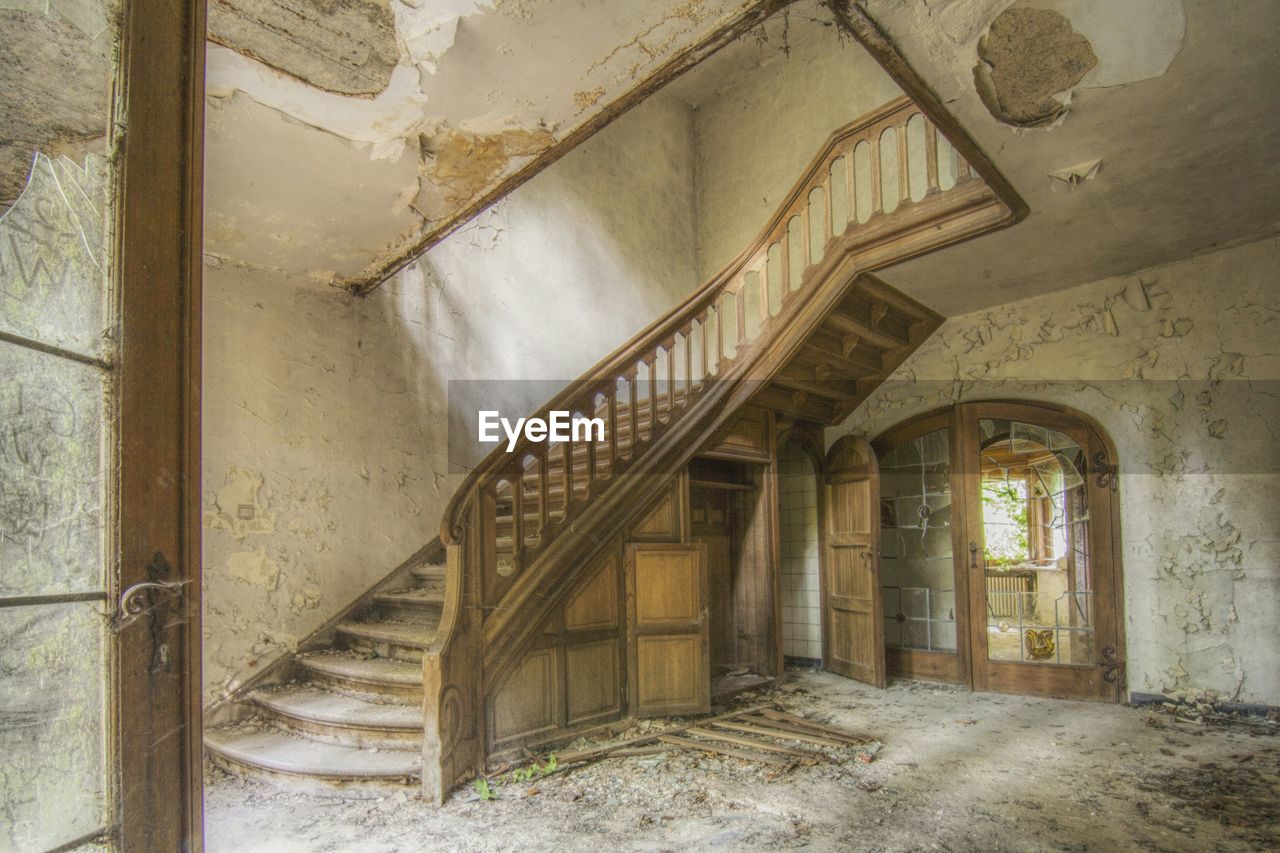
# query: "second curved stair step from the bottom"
{"type": "Point", "coordinates": [342, 719]}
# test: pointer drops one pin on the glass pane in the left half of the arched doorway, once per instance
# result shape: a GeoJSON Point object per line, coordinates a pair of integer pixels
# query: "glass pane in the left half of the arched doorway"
{"type": "Point", "coordinates": [917, 571]}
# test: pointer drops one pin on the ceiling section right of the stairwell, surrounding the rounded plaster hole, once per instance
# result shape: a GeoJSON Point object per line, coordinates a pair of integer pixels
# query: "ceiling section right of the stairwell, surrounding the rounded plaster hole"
{"type": "Point", "coordinates": [1181, 108]}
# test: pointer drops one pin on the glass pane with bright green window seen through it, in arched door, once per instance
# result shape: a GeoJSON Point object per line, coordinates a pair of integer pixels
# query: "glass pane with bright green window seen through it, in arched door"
{"type": "Point", "coordinates": [1036, 545]}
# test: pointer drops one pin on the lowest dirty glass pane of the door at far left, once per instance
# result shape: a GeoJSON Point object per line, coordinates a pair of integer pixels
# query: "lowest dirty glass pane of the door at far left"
{"type": "Point", "coordinates": [52, 778]}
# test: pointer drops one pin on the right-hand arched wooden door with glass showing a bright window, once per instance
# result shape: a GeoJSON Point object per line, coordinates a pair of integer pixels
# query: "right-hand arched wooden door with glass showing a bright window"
{"type": "Point", "coordinates": [1041, 533]}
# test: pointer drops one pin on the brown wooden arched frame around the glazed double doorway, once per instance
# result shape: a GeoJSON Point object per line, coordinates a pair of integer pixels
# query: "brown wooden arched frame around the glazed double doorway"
{"type": "Point", "coordinates": [962, 419]}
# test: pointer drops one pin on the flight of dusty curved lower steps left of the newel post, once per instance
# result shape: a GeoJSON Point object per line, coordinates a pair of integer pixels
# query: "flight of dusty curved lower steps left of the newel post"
{"type": "Point", "coordinates": [350, 715]}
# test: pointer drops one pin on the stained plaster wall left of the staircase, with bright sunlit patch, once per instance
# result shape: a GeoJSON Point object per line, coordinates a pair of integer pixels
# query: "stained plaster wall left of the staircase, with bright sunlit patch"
{"type": "Point", "coordinates": [327, 417]}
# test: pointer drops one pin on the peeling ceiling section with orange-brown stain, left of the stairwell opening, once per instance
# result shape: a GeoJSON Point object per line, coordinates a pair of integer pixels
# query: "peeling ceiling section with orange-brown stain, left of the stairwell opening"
{"type": "Point", "coordinates": [335, 185]}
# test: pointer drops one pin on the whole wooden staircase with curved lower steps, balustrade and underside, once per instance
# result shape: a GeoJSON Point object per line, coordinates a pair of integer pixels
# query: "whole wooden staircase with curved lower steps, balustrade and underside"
{"type": "Point", "coordinates": [415, 682]}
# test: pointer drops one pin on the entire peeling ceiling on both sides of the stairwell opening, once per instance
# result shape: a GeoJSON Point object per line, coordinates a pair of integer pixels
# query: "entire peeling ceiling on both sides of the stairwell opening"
{"type": "Point", "coordinates": [1139, 133]}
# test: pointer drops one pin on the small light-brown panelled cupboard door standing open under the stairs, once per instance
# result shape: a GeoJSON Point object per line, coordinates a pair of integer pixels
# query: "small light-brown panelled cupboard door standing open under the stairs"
{"type": "Point", "coordinates": [669, 630]}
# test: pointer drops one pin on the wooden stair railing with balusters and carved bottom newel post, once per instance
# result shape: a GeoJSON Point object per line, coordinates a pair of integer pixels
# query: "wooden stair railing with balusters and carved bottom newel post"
{"type": "Point", "coordinates": [885, 189]}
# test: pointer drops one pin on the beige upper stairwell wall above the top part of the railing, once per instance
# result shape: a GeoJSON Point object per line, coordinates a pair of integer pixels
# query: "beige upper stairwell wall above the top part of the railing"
{"type": "Point", "coordinates": [757, 136]}
